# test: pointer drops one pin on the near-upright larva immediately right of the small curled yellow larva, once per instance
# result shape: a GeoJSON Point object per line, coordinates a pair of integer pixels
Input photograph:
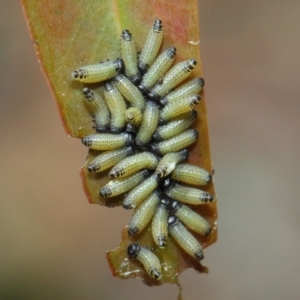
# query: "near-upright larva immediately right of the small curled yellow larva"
{"type": "Point", "coordinates": [148, 125]}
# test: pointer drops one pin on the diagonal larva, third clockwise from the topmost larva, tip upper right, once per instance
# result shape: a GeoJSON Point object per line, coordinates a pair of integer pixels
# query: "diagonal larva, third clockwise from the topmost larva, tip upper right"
{"type": "Point", "coordinates": [173, 77]}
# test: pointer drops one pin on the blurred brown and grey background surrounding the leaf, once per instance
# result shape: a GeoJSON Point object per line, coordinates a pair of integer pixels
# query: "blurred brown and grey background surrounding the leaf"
{"type": "Point", "coordinates": [53, 243]}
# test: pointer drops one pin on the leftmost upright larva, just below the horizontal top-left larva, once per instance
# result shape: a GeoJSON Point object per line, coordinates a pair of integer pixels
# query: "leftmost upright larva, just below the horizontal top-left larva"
{"type": "Point", "coordinates": [98, 109]}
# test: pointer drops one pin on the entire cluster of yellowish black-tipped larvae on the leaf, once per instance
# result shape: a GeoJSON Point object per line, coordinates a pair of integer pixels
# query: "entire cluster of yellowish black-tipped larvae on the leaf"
{"type": "Point", "coordinates": [142, 123]}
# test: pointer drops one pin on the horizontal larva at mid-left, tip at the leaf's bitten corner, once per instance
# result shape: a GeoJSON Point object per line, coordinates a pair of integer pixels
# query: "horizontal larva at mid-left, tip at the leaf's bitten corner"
{"type": "Point", "coordinates": [107, 141]}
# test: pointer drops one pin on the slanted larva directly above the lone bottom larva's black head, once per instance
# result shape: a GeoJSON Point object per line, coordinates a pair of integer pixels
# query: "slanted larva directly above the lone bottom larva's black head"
{"type": "Point", "coordinates": [143, 213]}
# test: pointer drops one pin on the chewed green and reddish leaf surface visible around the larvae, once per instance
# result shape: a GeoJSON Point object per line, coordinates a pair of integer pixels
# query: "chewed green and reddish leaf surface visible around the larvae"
{"type": "Point", "coordinates": [68, 34]}
